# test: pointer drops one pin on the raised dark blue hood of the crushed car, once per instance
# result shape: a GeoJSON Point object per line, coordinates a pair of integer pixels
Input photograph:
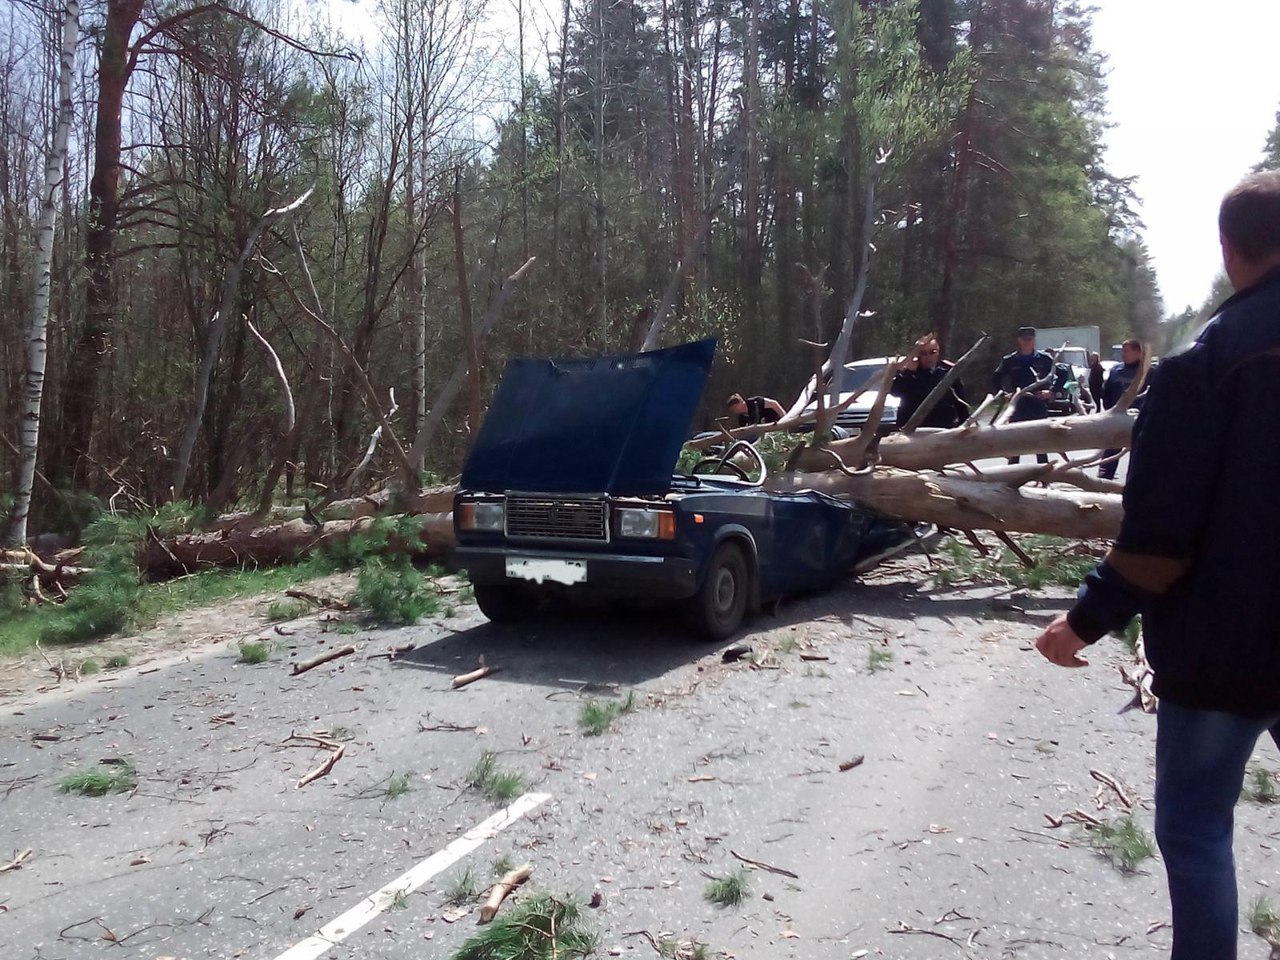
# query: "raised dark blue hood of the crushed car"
{"type": "Point", "coordinates": [591, 426]}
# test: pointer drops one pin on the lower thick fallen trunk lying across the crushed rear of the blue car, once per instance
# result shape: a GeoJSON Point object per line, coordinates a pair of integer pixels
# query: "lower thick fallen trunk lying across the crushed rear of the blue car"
{"type": "Point", "coordinates": [970, 504]}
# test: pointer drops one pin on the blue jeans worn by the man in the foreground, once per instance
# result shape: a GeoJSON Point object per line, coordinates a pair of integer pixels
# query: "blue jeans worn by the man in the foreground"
{"type": "Point", "coordinates": [1200, 770]}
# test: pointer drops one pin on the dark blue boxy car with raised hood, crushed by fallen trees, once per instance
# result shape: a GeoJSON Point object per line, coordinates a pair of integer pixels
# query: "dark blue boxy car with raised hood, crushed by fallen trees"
{"type": "Point", "coordinates": [570, 492]}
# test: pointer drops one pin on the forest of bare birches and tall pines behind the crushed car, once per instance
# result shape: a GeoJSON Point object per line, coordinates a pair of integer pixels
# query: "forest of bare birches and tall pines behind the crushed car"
{"type": "Point", "coordinates": [248, 257]}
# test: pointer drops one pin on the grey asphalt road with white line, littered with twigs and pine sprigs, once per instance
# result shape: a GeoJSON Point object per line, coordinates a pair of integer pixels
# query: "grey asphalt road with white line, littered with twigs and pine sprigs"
{"type": "Point", "coordinates": [935, 845]}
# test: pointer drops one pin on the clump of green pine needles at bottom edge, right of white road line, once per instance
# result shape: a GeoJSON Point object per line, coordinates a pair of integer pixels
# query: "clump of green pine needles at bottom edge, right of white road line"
{"type": "Point", "coordinates": [541, 927]}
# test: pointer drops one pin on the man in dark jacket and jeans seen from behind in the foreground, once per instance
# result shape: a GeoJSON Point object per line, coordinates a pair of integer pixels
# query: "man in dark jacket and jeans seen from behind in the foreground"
{"type": "Point", "coordinates": [1197, 557]}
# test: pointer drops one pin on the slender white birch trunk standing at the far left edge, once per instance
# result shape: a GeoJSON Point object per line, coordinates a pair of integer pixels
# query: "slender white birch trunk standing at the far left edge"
{"type": "Point", "coordinates": [56, 164]}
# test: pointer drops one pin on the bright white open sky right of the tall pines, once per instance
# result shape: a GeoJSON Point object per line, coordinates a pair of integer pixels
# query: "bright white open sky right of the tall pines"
{"type": "Point", "coordinates": [1194, 93]}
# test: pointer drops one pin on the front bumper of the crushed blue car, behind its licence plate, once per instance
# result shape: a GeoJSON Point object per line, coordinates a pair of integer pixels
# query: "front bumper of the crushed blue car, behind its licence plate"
{"type": "Point", "coordinates": [606, 574]}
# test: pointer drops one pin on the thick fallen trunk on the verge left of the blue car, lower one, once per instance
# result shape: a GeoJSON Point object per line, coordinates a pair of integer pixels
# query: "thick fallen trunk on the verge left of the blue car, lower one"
{"type": "Point", "coordinates": [284, 543]}
